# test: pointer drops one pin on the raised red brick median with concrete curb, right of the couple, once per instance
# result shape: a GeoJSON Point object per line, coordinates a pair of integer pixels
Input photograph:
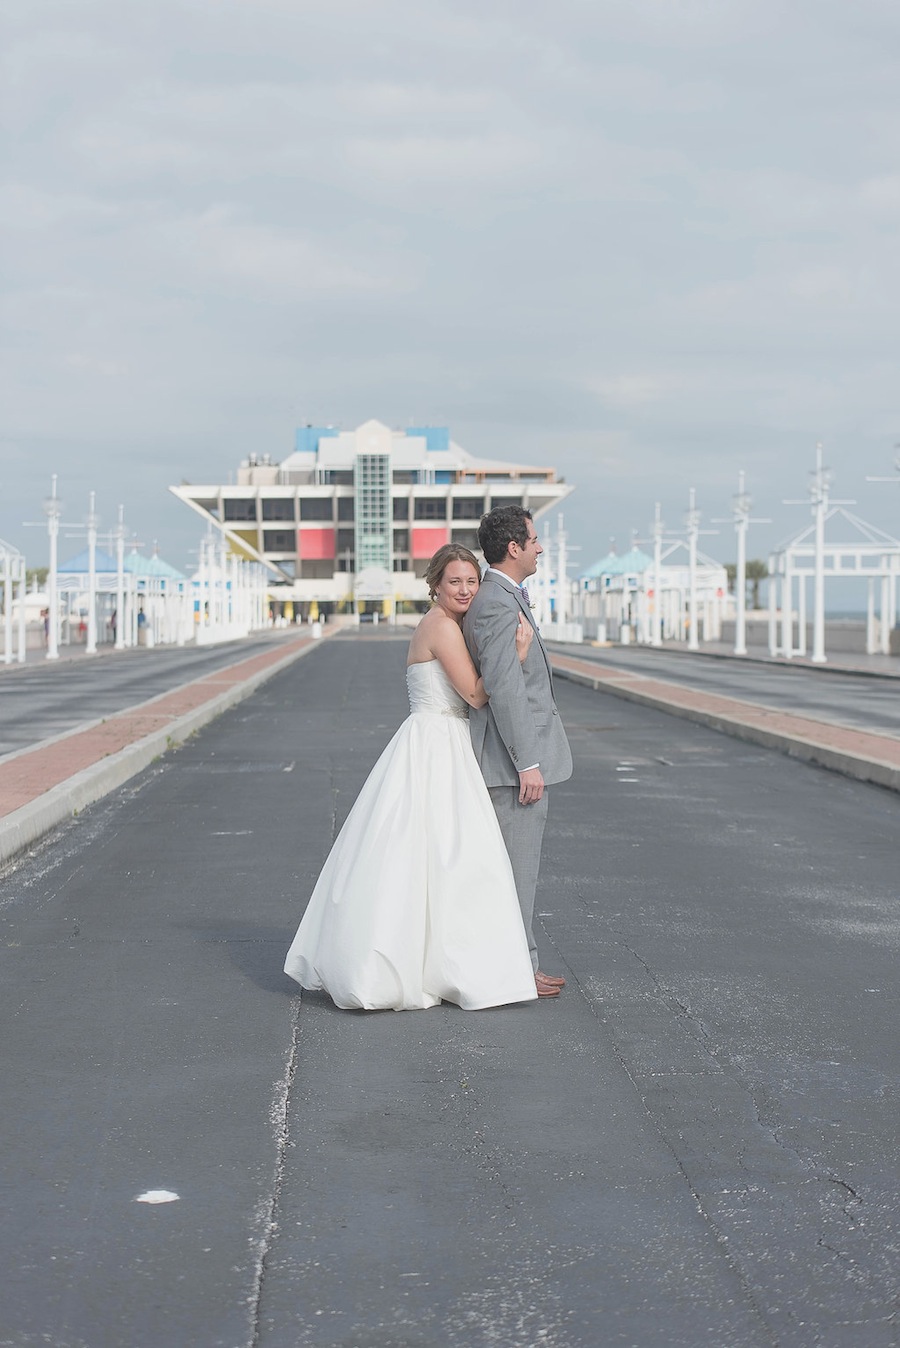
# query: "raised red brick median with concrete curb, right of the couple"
{"type": "Point", "coordinates": [860, 754]}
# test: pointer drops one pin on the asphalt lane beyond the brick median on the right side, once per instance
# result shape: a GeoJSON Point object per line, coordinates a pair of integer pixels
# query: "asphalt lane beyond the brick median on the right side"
{"type": "Point", "coordinates": [859, 700]}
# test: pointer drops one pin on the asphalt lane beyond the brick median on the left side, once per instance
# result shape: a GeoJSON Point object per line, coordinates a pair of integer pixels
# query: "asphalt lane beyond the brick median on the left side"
{"type": "Point", "coordinates": [40, 702]}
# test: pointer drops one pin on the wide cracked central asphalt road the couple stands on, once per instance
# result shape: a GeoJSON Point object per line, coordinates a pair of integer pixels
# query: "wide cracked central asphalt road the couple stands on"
{"type": "Point", "coordinates": [696, 1145]}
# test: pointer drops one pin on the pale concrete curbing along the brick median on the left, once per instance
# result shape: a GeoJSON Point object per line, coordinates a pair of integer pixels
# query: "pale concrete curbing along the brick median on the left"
{"type": "Point", "coordinates": [30, 823]}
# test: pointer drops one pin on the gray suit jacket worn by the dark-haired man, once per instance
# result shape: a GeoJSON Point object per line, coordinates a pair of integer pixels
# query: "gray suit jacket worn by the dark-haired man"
{"type": "Point", "coordinates": [521, 725]}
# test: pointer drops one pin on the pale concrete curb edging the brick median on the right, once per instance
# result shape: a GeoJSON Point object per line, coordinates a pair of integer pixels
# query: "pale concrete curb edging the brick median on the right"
{"type": "Point", "coordinates": [802, 747]}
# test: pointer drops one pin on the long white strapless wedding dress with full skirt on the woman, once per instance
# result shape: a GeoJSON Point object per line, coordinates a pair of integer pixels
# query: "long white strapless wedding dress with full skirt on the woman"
{"type": "Point", "coordinates": [417, 902]}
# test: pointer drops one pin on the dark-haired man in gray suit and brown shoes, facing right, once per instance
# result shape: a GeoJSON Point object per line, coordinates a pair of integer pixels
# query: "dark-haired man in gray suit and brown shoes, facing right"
{"type": "Point", "coordinates": [518, 738]}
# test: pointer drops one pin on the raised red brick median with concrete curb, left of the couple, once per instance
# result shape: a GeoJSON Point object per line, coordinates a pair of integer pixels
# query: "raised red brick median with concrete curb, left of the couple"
{"type": "Point", "coordinates": [44, 785]}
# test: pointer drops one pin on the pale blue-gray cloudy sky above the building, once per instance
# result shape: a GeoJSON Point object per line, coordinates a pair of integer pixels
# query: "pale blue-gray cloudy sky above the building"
{"type": "Point", "coordinates": [647, 242]}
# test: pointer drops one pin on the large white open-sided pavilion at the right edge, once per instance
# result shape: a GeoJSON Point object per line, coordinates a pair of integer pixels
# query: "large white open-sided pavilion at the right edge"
{"type": "Point", "coordinates": [872, 556]}
